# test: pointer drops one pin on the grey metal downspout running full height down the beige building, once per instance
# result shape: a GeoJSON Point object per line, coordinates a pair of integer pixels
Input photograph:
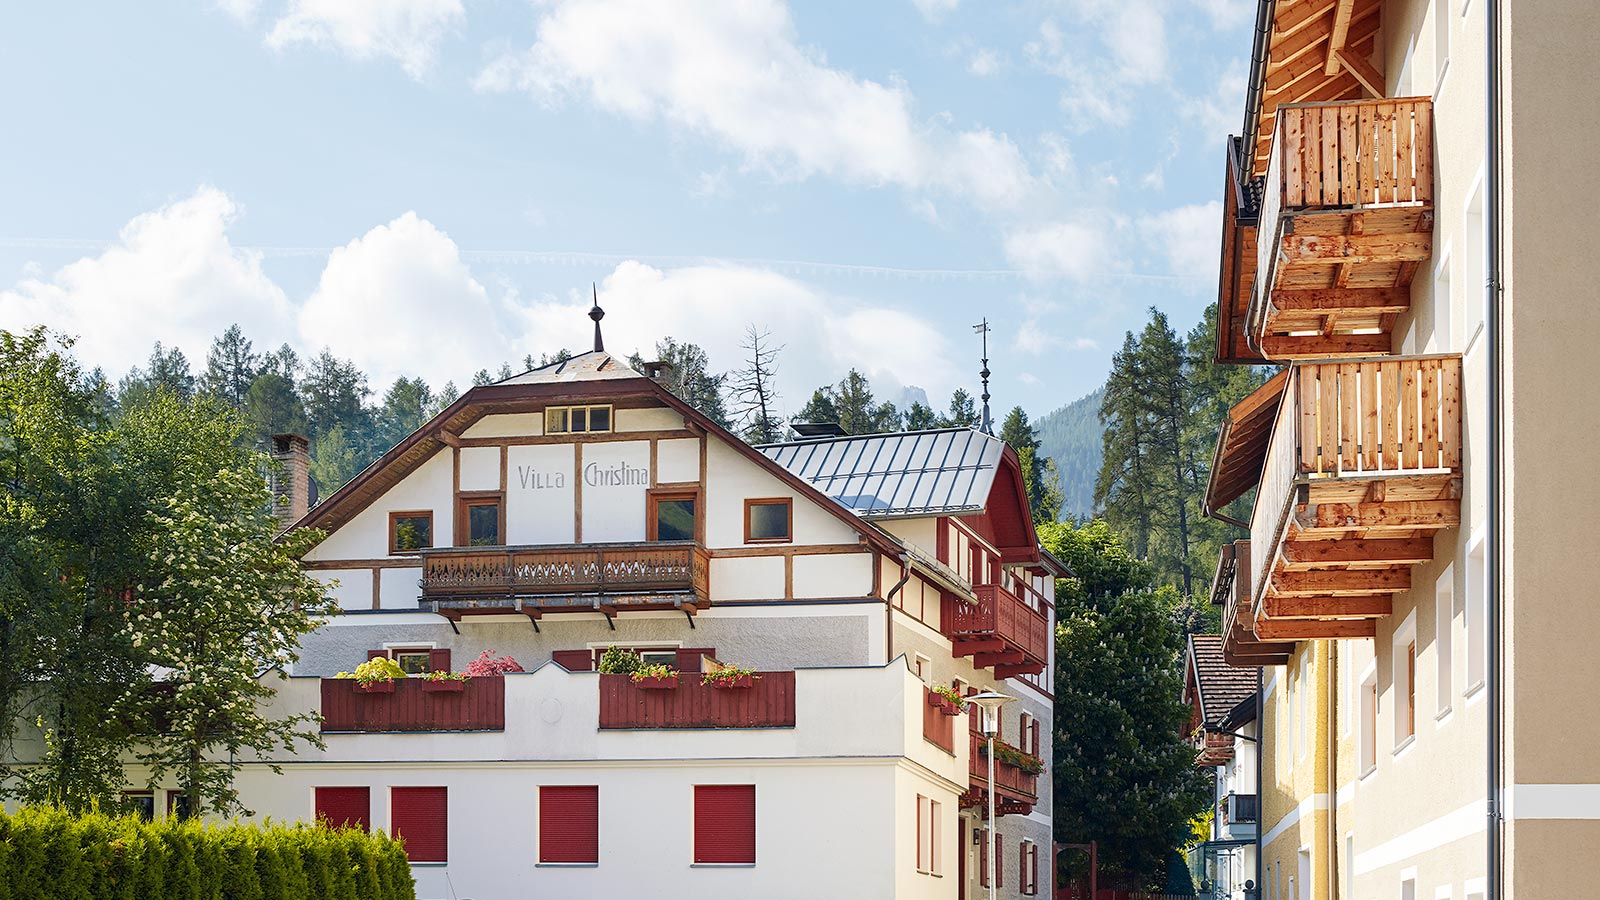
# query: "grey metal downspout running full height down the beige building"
{"type": "Point", "coordinates": [1492, 287]}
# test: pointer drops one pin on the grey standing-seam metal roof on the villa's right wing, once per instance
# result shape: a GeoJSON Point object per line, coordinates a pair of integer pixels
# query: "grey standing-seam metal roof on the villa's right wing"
{"type": "Point", "coordinates": [916, 473]}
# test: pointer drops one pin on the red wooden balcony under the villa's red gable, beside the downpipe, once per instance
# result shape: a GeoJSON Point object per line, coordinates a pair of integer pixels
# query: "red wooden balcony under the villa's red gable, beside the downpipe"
{"type": "Point", "coordinates": [1001, 630]}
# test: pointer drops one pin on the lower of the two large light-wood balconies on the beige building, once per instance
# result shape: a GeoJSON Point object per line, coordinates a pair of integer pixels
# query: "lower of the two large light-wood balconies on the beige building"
{"type": "Point", "coordinates": [1362, 470]}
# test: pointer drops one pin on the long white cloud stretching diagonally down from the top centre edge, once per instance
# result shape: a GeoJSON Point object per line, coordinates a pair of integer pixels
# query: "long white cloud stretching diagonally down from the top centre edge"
{"type": "Point", "coordinates": [735, 73]}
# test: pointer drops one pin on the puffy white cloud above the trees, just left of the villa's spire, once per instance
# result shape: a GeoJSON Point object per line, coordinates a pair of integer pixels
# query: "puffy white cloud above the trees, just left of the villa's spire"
{"type": "Point", "coordinates": [401, 302]}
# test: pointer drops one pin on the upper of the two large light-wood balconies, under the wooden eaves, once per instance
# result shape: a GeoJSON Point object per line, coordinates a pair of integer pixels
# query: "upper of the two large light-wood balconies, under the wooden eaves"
{"type": "Point", "coordinates": [1346, 219]}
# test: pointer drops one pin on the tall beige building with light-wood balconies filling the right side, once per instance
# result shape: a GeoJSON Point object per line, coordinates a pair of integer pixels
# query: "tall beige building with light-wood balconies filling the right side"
{"type": "Point", "coordinates": [1409, 581]}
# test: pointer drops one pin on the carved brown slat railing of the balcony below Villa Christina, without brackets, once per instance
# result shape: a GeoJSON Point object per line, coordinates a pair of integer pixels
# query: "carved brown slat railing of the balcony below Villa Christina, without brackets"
{"type": "Point", "coordinates": [588, 569]}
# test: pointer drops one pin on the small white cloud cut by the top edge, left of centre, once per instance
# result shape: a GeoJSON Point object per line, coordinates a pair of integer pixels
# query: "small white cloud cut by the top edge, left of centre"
{"type": "Point", "coordinates": [406, 31]}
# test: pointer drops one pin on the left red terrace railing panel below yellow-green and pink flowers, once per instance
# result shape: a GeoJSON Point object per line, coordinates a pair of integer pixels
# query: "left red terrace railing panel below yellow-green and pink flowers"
{"type": "Point", "coordinates": [412, 707]}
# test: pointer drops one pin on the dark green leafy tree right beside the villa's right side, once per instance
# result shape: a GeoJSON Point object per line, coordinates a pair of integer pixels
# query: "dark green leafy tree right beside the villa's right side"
{"type": "Point", "coordinates": [1124, 776]}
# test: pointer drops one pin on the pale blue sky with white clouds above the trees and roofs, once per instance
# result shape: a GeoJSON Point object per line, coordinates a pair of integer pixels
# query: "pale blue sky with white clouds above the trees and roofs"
{"type": "Point", "coordinates": [431, 187]}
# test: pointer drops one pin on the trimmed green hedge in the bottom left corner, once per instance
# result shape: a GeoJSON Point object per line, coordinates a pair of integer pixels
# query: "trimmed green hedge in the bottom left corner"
{"type": "Point", "coordinates": [50, 854]}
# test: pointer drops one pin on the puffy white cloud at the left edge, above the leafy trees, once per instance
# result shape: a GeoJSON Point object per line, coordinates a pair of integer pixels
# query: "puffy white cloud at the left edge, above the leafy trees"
{"type": "Point", "coordinates": [172, 276]}
